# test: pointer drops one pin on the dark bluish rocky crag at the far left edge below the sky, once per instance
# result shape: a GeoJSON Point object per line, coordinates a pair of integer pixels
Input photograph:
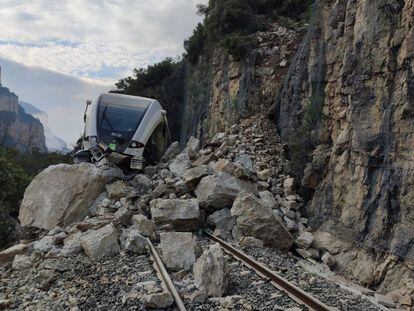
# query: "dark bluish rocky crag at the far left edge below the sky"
{"type": "Point", "coordinates": [17, 128]}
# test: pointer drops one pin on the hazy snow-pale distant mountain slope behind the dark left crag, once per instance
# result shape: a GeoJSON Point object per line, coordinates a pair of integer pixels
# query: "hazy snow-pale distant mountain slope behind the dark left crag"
{"type": "Point", "coordinates": [53, 143]}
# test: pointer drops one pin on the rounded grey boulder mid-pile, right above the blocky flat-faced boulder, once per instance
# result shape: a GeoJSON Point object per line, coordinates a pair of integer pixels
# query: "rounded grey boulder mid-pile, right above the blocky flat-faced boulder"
{"type": "Point", "coordinates": [218, 191]}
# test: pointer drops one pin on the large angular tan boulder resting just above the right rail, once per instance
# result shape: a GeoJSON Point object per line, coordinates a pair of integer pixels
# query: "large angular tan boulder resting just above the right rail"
{"type": "Point", "coordinates": [255, 219]}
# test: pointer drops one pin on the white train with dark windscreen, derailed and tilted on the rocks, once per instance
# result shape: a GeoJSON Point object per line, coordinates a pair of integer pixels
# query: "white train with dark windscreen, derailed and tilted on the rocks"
{"type": "Point", "coordinates": [130, 131]}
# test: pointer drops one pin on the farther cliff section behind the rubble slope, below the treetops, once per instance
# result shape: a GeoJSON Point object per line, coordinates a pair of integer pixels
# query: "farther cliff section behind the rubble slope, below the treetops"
{"type": "Point", "coordinates": [220, 89]}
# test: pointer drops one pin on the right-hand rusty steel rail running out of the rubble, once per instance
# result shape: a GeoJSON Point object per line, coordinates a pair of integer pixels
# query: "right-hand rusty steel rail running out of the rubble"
{"type": "Point", "coordinates": [279, 282]}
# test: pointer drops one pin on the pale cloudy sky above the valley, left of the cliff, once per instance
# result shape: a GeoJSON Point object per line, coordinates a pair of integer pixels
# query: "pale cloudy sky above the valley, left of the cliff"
{"type": "Point", "coordinates": [57, 54]}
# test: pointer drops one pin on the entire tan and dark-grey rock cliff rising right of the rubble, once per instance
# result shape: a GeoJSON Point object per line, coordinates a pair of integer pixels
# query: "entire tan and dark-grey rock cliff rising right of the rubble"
{"type": "Point", "coordinates": [342, 98]}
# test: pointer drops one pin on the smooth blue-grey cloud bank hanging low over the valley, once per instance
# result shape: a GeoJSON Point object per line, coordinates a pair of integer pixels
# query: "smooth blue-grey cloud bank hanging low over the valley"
{"type": "Point", "coordinates": [61, 96]}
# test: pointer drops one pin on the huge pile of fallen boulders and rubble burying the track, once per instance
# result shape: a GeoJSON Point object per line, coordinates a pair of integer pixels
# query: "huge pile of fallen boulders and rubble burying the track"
{"type": "Point", "coordinates": [235, 185]}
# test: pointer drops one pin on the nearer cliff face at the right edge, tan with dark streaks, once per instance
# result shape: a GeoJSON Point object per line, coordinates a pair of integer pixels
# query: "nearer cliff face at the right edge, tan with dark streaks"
{"type": "Point", "coordinates": [357, 62]}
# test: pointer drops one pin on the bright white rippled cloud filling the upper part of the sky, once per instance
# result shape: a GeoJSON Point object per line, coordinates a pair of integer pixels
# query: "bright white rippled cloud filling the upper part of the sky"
{"type": "Point", "coordinates": [101, 39]}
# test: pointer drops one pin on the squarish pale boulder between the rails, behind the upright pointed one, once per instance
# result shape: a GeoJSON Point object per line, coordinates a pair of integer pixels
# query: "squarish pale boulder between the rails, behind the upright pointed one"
{"type": "Point", "coordinates": [177, 250]}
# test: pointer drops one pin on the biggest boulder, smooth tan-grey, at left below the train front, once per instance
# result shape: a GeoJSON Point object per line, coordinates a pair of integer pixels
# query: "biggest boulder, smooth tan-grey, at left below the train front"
{"type": "Point", "coordinates": [62, 194]}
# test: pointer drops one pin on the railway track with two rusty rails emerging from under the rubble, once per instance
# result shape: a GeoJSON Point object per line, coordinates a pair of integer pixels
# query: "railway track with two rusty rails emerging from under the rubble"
{"type": "Point", "coordinates": [293, 293]}
